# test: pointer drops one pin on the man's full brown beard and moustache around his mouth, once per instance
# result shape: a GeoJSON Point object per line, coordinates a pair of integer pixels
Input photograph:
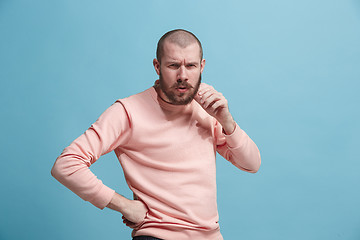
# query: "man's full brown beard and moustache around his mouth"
{"type": "Point", "coordinates": [179, 98]}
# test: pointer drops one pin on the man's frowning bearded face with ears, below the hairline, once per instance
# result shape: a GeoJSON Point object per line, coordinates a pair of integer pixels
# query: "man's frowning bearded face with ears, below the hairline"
{"type": "Point", "coordinates": [179, 73]}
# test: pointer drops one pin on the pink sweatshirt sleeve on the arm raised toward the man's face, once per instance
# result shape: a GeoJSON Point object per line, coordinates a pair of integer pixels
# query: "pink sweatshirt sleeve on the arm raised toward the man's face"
{"type": "Point", "coordinates": [238, 148]}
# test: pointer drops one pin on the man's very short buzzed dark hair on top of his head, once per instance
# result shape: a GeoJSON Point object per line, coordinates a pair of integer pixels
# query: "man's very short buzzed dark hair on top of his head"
{"type": "Point", "coordinates": [180, 37]}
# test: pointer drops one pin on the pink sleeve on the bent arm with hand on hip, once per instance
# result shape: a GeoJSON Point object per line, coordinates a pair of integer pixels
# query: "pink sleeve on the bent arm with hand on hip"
{"type": "Point", "coordinates": [71, 168]}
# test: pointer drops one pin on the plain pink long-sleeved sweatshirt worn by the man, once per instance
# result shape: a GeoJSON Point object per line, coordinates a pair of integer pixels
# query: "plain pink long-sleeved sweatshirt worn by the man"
{"type": "Point", "coordinates": [168, 155]}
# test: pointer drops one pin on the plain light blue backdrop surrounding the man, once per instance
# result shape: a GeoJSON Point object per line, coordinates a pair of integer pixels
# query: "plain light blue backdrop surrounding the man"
{"type": "Point", "coordinates": [289, 69]}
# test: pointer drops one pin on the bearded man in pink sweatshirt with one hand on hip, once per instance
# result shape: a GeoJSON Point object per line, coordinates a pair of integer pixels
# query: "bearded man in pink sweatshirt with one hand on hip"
{"type": "Point", "coordinates": [166, 140]}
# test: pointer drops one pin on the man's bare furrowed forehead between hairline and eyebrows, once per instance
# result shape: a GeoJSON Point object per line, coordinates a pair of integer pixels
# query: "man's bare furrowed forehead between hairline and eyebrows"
{"type": "Point", "coordinates": [172, 51]}
